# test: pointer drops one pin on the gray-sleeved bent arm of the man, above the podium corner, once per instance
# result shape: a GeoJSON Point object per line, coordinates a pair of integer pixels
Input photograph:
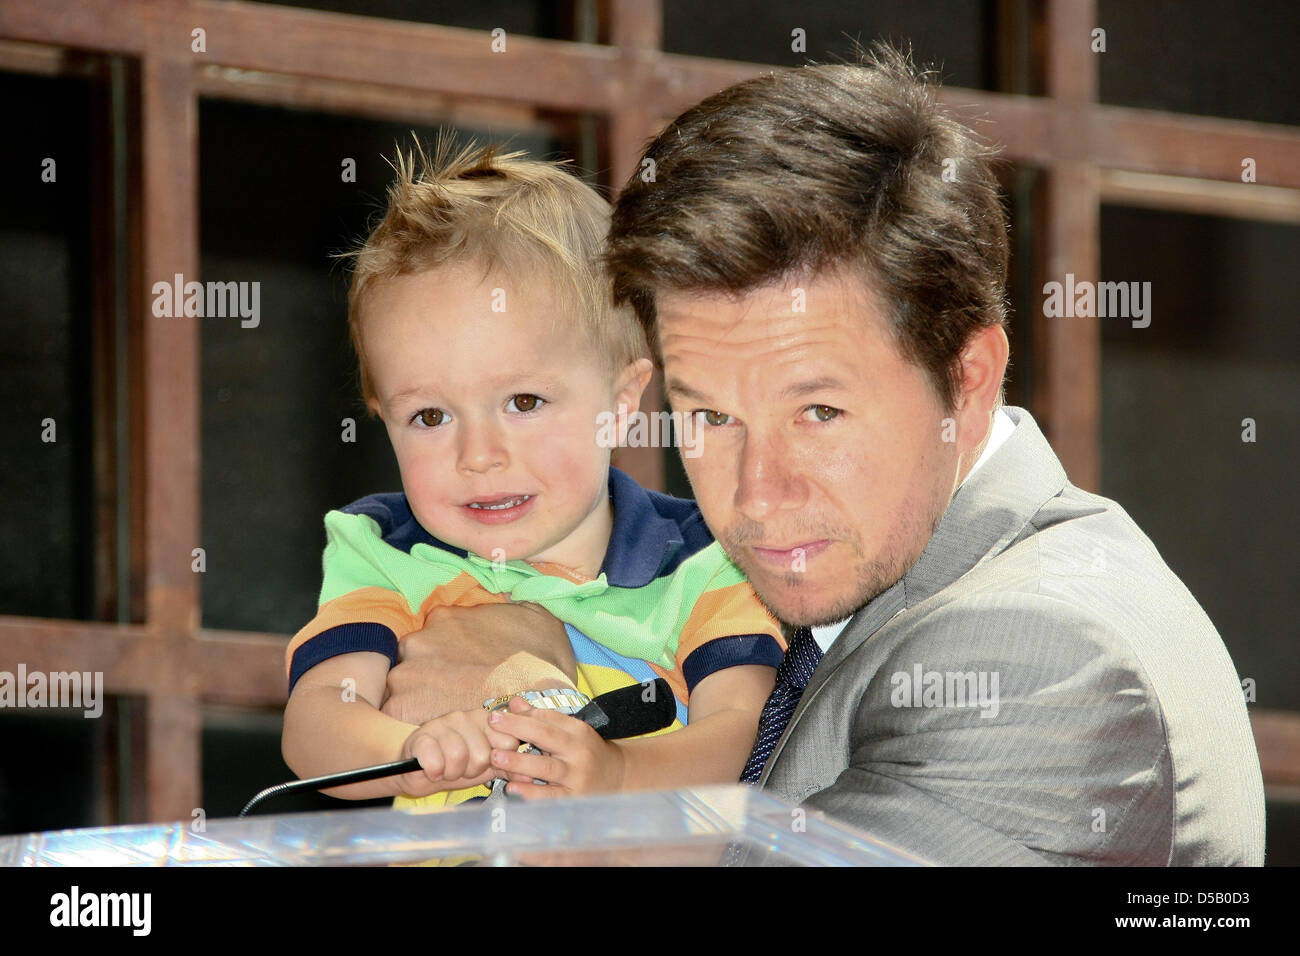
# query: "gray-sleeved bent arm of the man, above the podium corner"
{"type": "Point", "coordinates": [1069, 765]}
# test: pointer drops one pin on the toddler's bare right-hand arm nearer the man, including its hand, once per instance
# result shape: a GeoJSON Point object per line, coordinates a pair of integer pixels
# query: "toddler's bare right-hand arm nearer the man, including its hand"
{"type": "Point", "coordinates": [712, 749]}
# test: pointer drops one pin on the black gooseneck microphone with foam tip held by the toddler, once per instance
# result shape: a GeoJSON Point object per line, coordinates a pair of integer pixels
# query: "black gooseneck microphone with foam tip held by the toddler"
{"type": "Point", "coordinates": [629, 712]}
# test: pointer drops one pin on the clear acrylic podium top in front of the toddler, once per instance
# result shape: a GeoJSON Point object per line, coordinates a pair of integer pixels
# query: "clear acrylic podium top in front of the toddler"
{"type": "Point", "coordinates": [710, 827]}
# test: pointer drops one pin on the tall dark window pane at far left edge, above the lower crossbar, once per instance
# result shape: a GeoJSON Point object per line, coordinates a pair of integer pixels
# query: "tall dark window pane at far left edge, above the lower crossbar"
{"type": "Point", "coordinates": [46, 417]}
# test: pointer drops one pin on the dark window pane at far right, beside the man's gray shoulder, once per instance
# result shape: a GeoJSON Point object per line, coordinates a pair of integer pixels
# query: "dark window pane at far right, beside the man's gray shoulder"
{"type": "Point", "coordinates": [1223, 348]}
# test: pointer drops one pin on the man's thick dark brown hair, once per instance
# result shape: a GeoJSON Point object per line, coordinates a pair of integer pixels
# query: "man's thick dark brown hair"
{"type": "Point", "coordinates": [814, 168]}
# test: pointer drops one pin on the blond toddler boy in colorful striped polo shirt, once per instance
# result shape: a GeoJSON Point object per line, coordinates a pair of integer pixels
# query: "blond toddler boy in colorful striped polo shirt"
{"type": "Point", "coordinates": [489, 347]}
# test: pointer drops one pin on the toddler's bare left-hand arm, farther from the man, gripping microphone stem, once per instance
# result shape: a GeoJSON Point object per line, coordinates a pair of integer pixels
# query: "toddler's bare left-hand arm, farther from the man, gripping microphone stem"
{"type": "Point", "coordinates": [333, 726]}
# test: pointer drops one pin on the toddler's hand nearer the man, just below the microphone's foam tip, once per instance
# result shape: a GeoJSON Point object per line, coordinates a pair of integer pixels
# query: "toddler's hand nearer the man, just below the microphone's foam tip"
{"type": "Point", "coordinates": [575, 759]}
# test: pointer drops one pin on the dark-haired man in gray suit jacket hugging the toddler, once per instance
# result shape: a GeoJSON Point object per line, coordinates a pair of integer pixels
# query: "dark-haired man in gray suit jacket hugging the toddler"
{"type": "Point", "coordinates": [989, 665]}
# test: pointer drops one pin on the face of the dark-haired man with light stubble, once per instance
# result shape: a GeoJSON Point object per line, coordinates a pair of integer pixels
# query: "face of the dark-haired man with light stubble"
{"type": "Point", "coordinates": [824, 469]}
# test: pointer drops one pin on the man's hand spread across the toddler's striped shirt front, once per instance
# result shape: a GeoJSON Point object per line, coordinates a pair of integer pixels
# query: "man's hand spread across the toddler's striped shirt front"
{"type": "Point", "coordinates": [466, 655]}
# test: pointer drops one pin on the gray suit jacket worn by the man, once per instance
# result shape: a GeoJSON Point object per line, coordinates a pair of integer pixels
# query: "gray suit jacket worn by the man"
{"type": "Point", "coordinates": [1039, 689]}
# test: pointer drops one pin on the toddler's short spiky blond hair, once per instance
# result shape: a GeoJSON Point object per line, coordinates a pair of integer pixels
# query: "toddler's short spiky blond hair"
{"type": "Point", "coordinates": [525, 219]}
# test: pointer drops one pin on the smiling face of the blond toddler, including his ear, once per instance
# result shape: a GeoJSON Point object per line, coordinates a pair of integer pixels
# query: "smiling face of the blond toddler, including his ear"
{"type": "Point", "coordinates": [495, 414]}
